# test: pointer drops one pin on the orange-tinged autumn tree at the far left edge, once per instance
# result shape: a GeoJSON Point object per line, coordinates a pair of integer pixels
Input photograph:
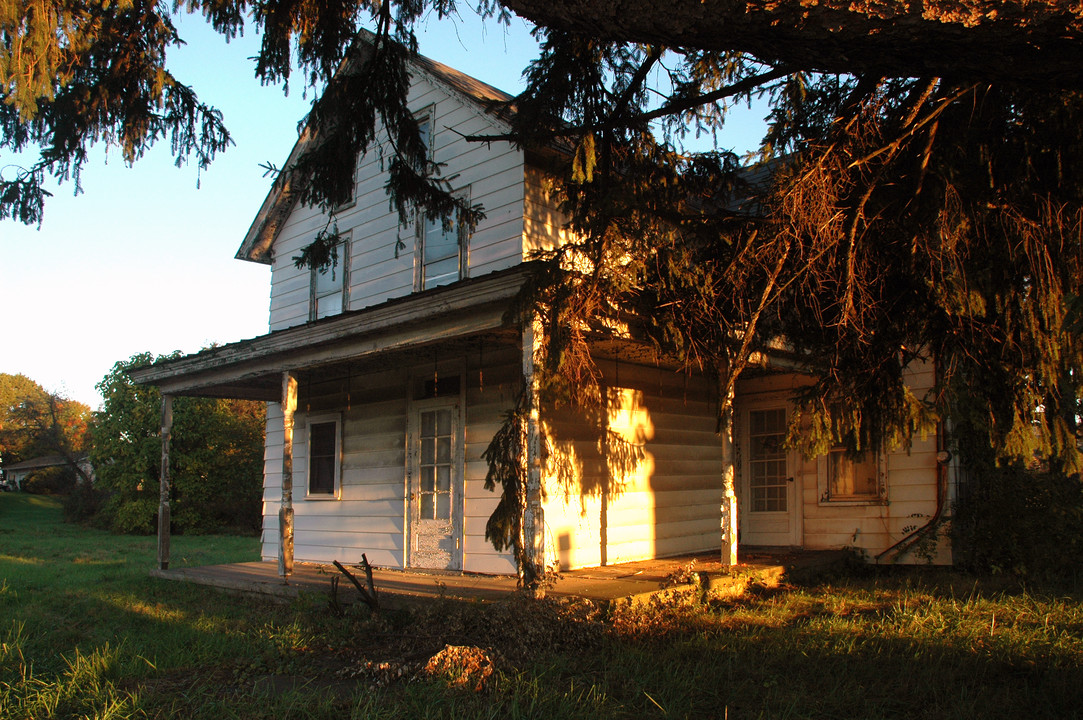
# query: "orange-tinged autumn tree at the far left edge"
{"type": "Point", "coordinates": [35, 423]}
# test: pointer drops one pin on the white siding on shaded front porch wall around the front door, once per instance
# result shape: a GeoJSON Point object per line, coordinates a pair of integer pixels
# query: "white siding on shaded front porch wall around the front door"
{"type": "Point", "coordinates": [370, 515]}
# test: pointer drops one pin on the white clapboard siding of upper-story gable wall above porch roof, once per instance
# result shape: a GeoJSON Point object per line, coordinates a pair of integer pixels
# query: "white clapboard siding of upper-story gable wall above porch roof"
{"type": "Point", "coordinates": [382, 251]}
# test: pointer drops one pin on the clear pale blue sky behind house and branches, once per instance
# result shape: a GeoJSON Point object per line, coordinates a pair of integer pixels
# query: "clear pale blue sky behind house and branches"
{"type": "Point", "coordinates": [143, 259]}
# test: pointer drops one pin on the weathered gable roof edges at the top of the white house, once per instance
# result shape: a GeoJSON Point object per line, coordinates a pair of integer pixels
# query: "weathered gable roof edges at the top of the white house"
{"type": "Point", "coordinates": [280, 200]}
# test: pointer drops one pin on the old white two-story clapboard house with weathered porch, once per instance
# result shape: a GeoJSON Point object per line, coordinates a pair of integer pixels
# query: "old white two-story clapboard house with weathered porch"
{"type": "Point", "coordinates": [388, 374]}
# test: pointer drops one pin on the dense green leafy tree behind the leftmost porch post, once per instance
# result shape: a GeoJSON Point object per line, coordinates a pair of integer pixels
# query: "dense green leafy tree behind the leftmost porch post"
{"type": "Point", "coordinates": [217, 459]}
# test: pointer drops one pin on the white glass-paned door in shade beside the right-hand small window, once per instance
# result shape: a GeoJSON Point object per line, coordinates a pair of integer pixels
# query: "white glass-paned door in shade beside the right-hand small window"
{"type": "Point", "coordinates": [767, 494]}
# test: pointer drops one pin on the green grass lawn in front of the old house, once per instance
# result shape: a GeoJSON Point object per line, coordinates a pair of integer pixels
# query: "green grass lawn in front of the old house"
{"type": "Point", "coordinates": [85, 633]}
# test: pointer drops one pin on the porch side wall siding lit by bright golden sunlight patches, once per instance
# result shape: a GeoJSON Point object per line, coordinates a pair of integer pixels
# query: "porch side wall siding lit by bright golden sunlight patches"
{"type": "Point", "coordinates": [664, 503]}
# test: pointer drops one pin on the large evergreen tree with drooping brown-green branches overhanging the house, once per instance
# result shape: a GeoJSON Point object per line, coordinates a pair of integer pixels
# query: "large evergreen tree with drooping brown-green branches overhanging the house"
{"type": "Point", "coordinates": [920, 198]}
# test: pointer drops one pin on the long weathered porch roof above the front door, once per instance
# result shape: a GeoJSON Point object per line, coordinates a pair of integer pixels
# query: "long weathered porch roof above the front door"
{"type": "Point", "coordinates": [253, 369]}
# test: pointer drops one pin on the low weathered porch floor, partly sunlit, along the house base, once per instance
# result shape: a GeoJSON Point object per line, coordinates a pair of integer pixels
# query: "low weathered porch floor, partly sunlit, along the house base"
{"type": "Point", "coordinates": [627, 583]}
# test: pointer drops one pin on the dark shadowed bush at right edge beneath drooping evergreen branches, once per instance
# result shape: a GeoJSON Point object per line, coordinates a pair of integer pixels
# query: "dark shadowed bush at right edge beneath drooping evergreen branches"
{"type": "Point", "coordinates": [1021, 521]}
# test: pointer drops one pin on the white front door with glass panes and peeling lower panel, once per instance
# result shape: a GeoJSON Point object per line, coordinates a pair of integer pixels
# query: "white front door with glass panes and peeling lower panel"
{"type": "Point", "coordinates": [436, 487]}
